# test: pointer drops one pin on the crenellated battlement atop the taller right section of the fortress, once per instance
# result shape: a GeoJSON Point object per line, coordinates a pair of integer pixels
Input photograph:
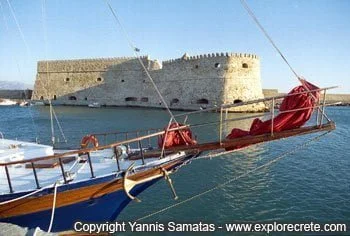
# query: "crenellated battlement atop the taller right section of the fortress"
{"type": "Point", "coordinates": [212, 55]}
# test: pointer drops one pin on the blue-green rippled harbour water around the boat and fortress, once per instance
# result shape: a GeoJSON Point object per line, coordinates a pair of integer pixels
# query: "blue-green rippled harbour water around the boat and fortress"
{"type": "Point", "coordinates": [311, 185]}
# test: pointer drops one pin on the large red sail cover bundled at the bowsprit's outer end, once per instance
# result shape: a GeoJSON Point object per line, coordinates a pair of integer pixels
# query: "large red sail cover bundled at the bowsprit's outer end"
{"type": "Point", "coordinates": [284, 121]}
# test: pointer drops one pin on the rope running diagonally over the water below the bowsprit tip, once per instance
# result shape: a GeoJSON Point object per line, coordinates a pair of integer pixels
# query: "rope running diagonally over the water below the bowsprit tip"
{"type": "Point", "coordinates": [236, 178]}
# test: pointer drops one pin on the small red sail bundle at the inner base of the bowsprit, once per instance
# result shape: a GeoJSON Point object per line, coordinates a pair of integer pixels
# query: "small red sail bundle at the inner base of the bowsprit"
{"type": "Point", "coordinates": [176, 137]}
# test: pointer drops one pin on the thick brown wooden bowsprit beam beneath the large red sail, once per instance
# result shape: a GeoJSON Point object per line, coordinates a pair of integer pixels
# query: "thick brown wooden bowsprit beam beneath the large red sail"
{"type": "Point", "coordinates": [247, 140]}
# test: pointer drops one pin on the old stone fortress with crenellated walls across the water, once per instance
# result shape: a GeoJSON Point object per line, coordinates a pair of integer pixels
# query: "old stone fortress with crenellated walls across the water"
{"type": "Point", "coordinates": [187, 83]}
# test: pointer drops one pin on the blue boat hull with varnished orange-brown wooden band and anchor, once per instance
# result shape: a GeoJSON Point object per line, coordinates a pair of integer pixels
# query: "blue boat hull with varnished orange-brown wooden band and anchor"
{"type": "Point", "coordinates": [96, 200]}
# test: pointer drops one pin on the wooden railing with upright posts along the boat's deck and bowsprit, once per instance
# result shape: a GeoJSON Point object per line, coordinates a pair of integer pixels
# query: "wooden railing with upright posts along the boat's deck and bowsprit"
{"type": "Point", "coordinates": [139, 137]}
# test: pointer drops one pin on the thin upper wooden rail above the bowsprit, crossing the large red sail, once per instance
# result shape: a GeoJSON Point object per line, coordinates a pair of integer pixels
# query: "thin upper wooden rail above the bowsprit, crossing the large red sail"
{"type": "Point", "coordinates": [229, 105]}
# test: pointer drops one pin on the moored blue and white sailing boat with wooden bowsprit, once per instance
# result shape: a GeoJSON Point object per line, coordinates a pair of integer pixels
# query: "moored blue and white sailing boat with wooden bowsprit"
{"type": "Point", "coordinates": [95, 183]}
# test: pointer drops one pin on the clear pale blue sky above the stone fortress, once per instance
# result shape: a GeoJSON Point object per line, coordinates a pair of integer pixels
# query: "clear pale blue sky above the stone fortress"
{"type": "Point", "coordinates": [313, 34]}
